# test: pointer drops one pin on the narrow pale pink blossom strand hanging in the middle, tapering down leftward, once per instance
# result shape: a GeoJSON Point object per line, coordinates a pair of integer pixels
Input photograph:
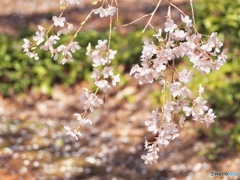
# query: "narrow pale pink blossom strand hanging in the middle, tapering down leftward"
{"type": "Point", "coordinates": [104, 79]}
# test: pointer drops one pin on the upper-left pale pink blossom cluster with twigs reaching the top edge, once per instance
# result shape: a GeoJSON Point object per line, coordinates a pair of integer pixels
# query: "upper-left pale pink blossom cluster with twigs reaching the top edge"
{"type": "Point", "coordinates": [62, 27]}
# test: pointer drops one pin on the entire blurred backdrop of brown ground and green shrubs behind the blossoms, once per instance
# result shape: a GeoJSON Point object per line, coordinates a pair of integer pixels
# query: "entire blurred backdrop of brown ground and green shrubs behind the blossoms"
{"type": "Point", "coordinates": [37, 98]}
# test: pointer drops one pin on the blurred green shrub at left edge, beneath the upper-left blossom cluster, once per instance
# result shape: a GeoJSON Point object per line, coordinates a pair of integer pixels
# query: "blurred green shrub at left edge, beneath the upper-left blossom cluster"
{"type": "Point", "coordinates": [18, 73]}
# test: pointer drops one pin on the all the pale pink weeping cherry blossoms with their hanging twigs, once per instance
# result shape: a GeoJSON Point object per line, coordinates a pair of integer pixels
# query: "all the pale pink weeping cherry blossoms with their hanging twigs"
{"type": "Point", "coordinates": [158, 59]}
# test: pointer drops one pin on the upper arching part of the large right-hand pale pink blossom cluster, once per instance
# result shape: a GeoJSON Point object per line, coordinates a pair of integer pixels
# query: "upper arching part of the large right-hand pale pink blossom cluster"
{"type": "Point", "coordinates": [205, 56]}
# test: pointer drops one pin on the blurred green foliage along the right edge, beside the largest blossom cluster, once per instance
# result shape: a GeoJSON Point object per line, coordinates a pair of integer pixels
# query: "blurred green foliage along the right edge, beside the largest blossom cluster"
{"type": "Point", "coordinates": [223, 86]}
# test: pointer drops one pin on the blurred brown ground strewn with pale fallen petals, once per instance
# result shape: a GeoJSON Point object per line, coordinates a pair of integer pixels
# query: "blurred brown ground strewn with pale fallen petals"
{"type": "Point", "coordinates": [33, 144]}
